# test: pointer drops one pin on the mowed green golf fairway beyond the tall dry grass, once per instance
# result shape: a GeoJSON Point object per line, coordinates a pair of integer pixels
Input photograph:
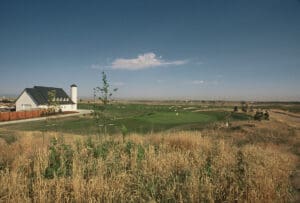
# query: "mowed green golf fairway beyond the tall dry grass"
{"type": "Point", "coordinates": [137, 118]}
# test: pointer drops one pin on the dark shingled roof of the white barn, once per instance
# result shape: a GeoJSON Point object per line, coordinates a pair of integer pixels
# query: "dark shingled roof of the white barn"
{"type": "Point", "coordinates": [40, 95]}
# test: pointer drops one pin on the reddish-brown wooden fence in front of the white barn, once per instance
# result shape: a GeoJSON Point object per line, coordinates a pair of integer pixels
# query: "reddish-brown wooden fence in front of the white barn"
{"type": "Point", "coordinates": [11, 116]}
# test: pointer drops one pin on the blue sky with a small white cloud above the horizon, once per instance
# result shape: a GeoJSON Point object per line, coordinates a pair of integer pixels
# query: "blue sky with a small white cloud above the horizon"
{"type": "Point", "coordinates": [154, 49]}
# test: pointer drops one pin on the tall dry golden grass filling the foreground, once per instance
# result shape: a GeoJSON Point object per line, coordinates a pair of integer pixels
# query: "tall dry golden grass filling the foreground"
{"type": "Point", "coordinates": [178, 167]}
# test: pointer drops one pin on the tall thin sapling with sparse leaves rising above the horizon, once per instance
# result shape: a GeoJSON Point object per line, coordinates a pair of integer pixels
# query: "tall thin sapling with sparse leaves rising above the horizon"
{"type": "Point", "coordinates": [103, 93]}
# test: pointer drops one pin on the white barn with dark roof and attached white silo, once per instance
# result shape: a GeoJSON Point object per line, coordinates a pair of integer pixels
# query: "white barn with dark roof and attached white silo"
{"type": "Point", "coordinates": [37, 98]}
